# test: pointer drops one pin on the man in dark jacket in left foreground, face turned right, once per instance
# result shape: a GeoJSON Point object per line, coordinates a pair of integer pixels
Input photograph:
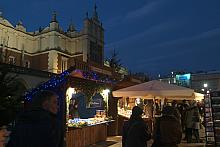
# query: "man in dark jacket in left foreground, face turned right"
{"type": "Point", "coordinates": [37, 127]}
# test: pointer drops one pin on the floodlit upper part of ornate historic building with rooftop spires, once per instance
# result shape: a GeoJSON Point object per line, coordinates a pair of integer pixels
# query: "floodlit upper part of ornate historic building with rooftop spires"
{"type": "Point", "coordinates": [51, 48]}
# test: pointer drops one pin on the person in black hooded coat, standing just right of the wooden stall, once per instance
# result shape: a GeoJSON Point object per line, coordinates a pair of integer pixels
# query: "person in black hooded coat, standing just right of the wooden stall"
{"type": "Point", "coordinates": [135, 130]}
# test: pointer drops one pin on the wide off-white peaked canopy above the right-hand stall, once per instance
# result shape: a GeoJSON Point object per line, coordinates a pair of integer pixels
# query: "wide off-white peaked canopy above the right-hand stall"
{"type": "Point", "coordinates": [156, 89]}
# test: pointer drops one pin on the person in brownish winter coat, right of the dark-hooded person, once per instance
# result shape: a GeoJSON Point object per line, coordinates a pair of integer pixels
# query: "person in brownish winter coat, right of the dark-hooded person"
{"type": "Point", "coordinates": [168, 130]}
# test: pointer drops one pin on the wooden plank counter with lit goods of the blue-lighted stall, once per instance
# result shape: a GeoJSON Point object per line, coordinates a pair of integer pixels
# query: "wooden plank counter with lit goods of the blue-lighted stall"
{"type": "Point", "coordinates": [87, 133]}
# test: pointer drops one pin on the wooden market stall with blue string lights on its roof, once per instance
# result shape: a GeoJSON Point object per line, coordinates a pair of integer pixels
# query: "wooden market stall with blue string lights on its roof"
{"type": "Point", "coordinates": [83, 106]}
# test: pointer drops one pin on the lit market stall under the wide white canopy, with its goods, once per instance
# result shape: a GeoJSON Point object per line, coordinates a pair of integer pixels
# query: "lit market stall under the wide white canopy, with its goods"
{"type": "Point", "coordinates": [151, 96]}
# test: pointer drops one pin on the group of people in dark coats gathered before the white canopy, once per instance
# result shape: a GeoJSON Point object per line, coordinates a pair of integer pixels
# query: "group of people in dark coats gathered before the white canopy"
{"type": "Point", "coordinates": [176, 119]}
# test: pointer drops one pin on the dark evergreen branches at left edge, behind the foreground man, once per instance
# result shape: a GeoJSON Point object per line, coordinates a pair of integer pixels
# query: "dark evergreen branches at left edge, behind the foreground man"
{"type": "Point", "coordinates": [11, 101]}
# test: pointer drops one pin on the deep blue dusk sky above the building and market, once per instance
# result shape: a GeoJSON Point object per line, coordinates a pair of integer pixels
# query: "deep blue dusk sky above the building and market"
{"type": "Point", "coordinates": [151, 36]}
